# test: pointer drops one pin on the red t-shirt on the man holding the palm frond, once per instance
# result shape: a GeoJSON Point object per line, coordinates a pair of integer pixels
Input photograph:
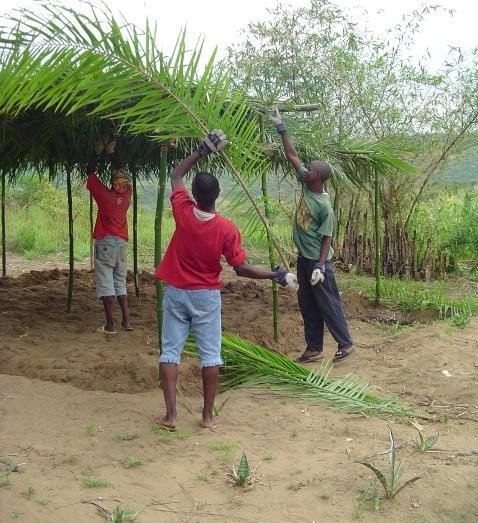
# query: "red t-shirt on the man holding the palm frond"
{"type": "Point", "coordinates": [193, 257]}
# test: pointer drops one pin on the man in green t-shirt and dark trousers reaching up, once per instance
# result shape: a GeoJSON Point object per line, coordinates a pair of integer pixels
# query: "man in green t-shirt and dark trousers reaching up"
{"type": "Point", "coordinates": [313, 226]}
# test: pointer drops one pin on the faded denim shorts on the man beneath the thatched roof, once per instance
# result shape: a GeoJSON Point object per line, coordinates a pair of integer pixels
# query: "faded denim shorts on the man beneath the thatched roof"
{"type": "Point", "coordinates": [110, 266]}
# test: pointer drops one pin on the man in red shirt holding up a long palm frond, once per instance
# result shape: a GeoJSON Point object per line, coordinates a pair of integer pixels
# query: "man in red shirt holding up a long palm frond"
{"type": "Point", "coordinates": [191, 268]}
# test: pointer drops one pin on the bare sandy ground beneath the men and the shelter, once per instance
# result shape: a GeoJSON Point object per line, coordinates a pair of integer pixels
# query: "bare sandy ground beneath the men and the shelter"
{"type": "Point", "coordinates": [76, 407]}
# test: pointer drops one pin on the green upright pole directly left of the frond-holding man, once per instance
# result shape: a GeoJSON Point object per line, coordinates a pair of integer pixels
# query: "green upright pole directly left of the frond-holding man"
{"type": "Point", "coordinates": [158, 253]}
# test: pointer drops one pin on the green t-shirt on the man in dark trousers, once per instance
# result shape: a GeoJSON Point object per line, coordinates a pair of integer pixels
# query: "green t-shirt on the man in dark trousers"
{"type": "Point", "coordinates": [314, 218]}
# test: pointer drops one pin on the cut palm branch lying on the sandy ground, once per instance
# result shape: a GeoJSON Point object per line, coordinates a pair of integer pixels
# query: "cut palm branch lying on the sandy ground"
{"type": "Point", "coordinates": [250, 365]}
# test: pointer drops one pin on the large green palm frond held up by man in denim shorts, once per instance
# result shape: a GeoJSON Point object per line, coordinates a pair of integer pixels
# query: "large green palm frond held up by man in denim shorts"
{"type": "Point", "coordinates": [71, 62]}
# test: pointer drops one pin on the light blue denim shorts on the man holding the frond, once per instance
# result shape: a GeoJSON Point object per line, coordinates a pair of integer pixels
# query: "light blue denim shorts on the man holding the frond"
{"type": "Point", "coordinates": [198, 311]}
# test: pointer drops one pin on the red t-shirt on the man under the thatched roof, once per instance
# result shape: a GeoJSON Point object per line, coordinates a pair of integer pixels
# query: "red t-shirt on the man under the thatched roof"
{"type": "Point", "coordinates": [112, 209]}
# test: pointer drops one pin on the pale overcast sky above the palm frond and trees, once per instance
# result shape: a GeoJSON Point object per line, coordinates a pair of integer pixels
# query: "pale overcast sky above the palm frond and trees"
{"type": "Point", "coordinates": [219, 22]}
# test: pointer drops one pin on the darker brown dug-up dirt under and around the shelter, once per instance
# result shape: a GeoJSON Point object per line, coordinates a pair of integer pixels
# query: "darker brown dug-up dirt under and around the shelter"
{"type": "Point", "coordinates": [41, 340]}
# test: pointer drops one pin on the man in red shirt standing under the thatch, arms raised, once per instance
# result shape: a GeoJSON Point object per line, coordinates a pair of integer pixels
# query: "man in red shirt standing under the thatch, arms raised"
{"type": "Point", "coordinates": [111, 237]}
